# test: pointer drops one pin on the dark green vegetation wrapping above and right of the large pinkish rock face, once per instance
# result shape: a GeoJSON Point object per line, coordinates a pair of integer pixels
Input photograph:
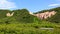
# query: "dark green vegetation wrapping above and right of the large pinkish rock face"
{"type": "Point", "coordinates": [55, 18]}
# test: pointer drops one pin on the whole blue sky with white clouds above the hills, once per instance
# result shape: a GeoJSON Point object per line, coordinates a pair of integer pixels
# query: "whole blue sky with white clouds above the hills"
{"type": "Point", "coordinates": [31, 5]}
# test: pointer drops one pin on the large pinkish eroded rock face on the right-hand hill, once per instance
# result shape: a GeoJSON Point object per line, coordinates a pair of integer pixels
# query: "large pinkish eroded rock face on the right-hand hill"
{"type": "Point", "coordinates": [45, 15]}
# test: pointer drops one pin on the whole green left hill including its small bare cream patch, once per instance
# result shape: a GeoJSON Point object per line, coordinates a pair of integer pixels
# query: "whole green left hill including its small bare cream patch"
{"type": "Point", "coordinates": [20, 15]}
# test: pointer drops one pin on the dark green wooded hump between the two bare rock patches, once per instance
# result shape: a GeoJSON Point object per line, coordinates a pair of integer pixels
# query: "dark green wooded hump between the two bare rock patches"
{"type": "Point", "coordinates": [24, 16]}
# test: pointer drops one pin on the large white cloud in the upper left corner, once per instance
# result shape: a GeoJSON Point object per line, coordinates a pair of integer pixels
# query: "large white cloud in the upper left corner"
{"type": "Point", "coordinates": [4, 4]}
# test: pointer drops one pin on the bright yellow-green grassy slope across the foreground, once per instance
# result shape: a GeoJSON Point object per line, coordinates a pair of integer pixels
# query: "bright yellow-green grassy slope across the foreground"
{"type": "Point", "coordinates": [29, 28]}
